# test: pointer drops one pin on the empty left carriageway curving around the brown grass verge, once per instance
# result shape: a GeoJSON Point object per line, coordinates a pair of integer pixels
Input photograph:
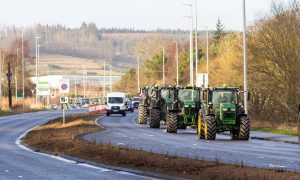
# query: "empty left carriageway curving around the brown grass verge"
{"type": "Point", "coordinates": [19, 163]}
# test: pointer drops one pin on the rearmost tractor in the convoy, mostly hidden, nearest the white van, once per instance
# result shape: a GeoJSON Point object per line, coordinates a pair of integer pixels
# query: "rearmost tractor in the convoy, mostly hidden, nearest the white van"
{"type": "Point", "coordinates": [144, 104]}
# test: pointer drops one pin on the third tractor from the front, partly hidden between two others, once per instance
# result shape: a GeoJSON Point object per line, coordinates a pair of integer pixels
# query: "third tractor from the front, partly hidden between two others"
{"type": "Point", "coordinates": [161, 98]}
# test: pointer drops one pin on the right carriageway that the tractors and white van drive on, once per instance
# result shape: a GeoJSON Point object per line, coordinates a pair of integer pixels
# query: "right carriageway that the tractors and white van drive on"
{"type": "Point", "coordinates": [124, 131]}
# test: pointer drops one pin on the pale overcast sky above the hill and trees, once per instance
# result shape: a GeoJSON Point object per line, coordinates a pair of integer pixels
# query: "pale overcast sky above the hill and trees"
{"type": "Point", "coordinates": [138, 14]}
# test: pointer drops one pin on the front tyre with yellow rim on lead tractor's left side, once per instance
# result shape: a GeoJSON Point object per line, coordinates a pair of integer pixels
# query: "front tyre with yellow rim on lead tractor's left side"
{"type": "Point", "coordinates": [210, 128]}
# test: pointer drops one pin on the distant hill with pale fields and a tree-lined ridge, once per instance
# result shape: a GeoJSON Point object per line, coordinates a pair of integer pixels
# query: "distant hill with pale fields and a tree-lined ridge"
{"type": "Point", "coordinates": [113, 45]}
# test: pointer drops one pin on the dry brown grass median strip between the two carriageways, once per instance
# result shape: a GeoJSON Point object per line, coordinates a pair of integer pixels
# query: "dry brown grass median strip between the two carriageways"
{"type": "Point", "coordinates": [60, 139]}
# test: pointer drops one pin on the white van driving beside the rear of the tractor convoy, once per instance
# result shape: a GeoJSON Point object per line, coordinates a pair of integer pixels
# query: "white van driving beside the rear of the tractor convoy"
{"type": "Point", "coordinates": [116, 103]}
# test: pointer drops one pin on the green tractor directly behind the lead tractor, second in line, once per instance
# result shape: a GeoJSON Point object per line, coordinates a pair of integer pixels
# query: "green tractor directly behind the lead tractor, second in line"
{"type": "Point", "coordinates": [184, 111]}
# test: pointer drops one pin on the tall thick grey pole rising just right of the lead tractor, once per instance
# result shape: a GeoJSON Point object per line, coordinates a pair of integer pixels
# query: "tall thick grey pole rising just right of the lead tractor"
{"type": "Point", "coordinates": [245, 58]}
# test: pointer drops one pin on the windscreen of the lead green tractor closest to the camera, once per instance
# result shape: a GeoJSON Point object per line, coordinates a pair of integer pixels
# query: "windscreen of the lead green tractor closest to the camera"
{"type": "Point", "coordinates": [224, 96]}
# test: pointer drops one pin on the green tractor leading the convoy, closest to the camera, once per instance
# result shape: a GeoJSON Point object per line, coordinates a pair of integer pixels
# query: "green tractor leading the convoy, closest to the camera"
{"type": "Point", "coordinates": [224, 113]}
